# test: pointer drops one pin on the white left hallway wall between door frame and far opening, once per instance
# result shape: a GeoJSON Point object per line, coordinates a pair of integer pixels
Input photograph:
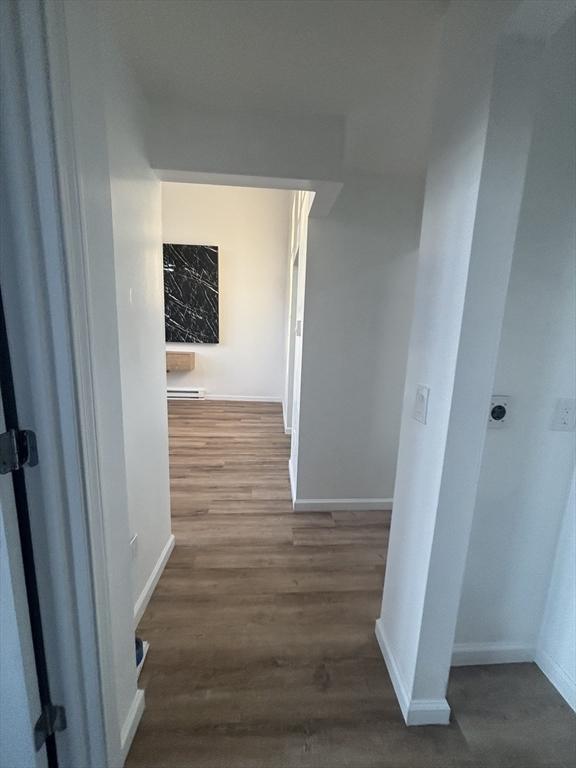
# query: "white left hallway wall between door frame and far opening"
{"type": "Point", "coordinates": [120, 201]}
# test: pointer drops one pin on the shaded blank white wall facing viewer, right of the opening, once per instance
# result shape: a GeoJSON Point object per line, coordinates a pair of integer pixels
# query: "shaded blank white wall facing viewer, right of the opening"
{"type": "Point", "coordinates": [360, 277]}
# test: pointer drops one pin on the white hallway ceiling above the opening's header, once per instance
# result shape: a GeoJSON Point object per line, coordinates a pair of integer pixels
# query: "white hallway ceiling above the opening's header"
{"type": "Point", "coordinates": [372, 61]}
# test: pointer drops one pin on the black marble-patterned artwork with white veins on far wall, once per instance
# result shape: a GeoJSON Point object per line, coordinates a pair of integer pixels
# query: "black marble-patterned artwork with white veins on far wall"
{"type": "Point", "coordinates": [191, 293]}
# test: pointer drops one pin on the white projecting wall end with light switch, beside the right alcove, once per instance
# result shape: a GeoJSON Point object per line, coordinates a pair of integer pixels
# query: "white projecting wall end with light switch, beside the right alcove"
{"type": "Point", "coordinates": [468, 229]}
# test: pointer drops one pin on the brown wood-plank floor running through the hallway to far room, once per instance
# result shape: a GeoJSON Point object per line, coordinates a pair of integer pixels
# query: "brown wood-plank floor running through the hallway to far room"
{"type": "Point", "coordinates": [261, 628]}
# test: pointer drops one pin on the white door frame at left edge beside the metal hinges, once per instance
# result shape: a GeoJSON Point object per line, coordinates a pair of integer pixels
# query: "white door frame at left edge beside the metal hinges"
{"type": "Point", "coordinates": [49, 341]}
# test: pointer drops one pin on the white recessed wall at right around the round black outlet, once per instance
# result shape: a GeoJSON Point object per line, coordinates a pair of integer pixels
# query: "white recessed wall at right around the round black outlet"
{"type": "Point", "coordinates": [526, 467]}
